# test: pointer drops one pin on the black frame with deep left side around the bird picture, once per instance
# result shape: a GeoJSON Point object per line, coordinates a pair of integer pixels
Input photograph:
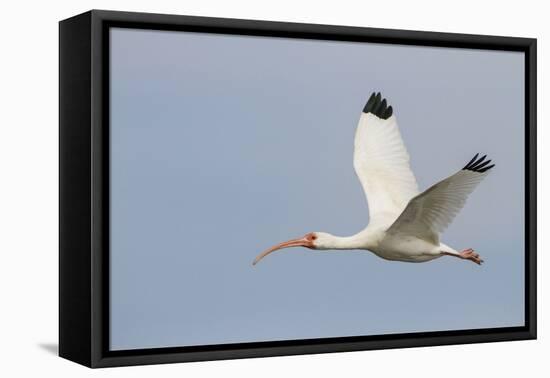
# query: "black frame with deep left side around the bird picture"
{"type": "Point", "coordinates": [84, 188]}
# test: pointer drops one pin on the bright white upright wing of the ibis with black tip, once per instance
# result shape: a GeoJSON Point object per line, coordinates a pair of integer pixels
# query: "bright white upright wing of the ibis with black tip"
{"type": "Point", "coordinates": [381, 162]}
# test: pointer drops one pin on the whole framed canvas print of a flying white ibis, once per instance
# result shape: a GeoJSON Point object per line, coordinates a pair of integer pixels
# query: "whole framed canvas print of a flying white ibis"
{"type": "Point", "coordinates": [235, 188]}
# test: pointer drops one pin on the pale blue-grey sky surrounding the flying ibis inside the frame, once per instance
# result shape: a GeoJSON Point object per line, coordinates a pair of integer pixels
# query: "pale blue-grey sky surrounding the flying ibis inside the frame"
{"type": "Point", "coordinates": [224, 145]}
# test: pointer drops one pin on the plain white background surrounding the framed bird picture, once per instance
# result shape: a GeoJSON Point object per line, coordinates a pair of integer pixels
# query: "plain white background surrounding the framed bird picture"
{"type": "Point", "coordinates": [29, 176]}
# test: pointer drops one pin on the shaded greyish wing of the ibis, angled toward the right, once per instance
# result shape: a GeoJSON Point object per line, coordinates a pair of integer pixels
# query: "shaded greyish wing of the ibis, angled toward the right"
{"type": "Point", "coordinates": [429, 213]}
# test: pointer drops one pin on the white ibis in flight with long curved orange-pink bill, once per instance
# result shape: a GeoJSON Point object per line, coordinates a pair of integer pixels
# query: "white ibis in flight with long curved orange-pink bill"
{"type": "Point", "coordinates": [405, 224]}
